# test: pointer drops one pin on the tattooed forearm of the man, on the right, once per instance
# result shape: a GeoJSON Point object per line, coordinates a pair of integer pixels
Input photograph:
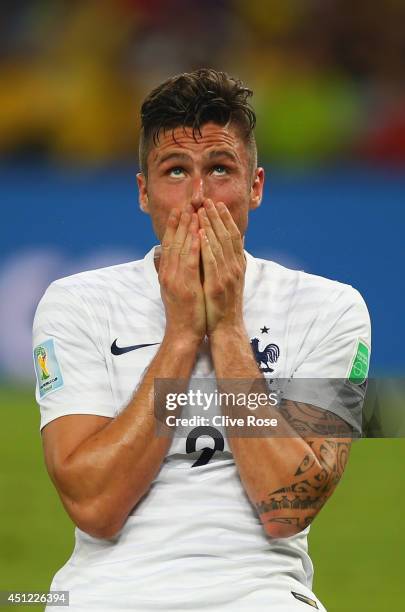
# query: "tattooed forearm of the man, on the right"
{"type": "Point", "coordinates": [281, 473]}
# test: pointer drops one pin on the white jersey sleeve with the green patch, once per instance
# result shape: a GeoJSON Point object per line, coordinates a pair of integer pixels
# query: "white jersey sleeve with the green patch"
{"type": "Point", "coordinates": [332, 373]}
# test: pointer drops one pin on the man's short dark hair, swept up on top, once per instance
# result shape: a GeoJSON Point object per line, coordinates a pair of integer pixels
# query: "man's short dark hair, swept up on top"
{"type": "Point", "coordinates": [192, 99]}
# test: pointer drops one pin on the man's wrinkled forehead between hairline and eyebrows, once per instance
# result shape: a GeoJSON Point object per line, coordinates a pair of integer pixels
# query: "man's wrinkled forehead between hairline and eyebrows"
{"type": "Point", "coordinates": [212, 137]}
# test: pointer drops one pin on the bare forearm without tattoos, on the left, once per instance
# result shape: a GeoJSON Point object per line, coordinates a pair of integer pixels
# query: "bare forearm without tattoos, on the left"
{"type": "Point", "coordinates": [107, 474]}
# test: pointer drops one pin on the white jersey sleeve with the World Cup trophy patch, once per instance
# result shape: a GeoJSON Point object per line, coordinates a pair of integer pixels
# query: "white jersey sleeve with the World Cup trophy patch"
{"type": "Point", "coordinates": [71, 372]}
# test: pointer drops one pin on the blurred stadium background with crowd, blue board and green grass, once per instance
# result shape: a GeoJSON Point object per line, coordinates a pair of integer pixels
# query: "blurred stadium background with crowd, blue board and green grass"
{"type": "Point", "coordinates": [329, 86]}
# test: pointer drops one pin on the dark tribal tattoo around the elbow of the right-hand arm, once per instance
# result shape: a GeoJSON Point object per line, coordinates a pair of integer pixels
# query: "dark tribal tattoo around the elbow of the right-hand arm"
{"type": "Point", "coordinates": [296, 504]}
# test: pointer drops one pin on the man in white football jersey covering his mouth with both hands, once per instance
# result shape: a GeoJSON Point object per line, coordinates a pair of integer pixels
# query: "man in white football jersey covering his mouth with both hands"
{"type": "Point", "coordinates": [210, 520]}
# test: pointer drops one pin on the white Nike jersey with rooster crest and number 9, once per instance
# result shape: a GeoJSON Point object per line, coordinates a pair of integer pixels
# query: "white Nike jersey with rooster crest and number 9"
{"type": "Point", "coordinates": [194, 541]}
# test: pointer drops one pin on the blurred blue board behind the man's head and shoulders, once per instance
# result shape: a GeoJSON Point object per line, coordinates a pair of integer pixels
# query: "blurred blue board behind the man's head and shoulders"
{"type": "Point", "coordinates": [344, 223]}
